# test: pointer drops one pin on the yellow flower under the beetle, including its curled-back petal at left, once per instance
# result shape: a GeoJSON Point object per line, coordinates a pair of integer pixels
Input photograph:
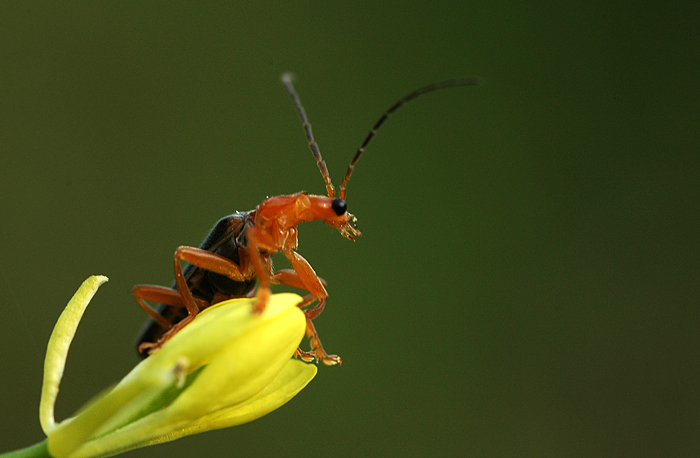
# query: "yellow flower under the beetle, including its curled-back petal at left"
{"type": "Point", "coordinates": [227, 367]}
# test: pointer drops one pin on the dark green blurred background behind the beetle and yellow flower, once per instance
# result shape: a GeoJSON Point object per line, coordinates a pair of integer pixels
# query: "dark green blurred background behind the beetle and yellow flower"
{"type": "Point", "coordinates": [528, 278]}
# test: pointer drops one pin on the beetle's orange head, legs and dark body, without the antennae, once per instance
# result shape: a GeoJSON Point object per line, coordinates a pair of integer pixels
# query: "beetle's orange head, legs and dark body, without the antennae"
{"type": "Point", "coordinates": [270, 228]}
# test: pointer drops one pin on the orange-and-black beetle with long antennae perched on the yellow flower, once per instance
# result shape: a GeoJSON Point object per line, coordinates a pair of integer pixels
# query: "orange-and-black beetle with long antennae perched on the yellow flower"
{"type": "Point", "coordinates": [236, 256]}
